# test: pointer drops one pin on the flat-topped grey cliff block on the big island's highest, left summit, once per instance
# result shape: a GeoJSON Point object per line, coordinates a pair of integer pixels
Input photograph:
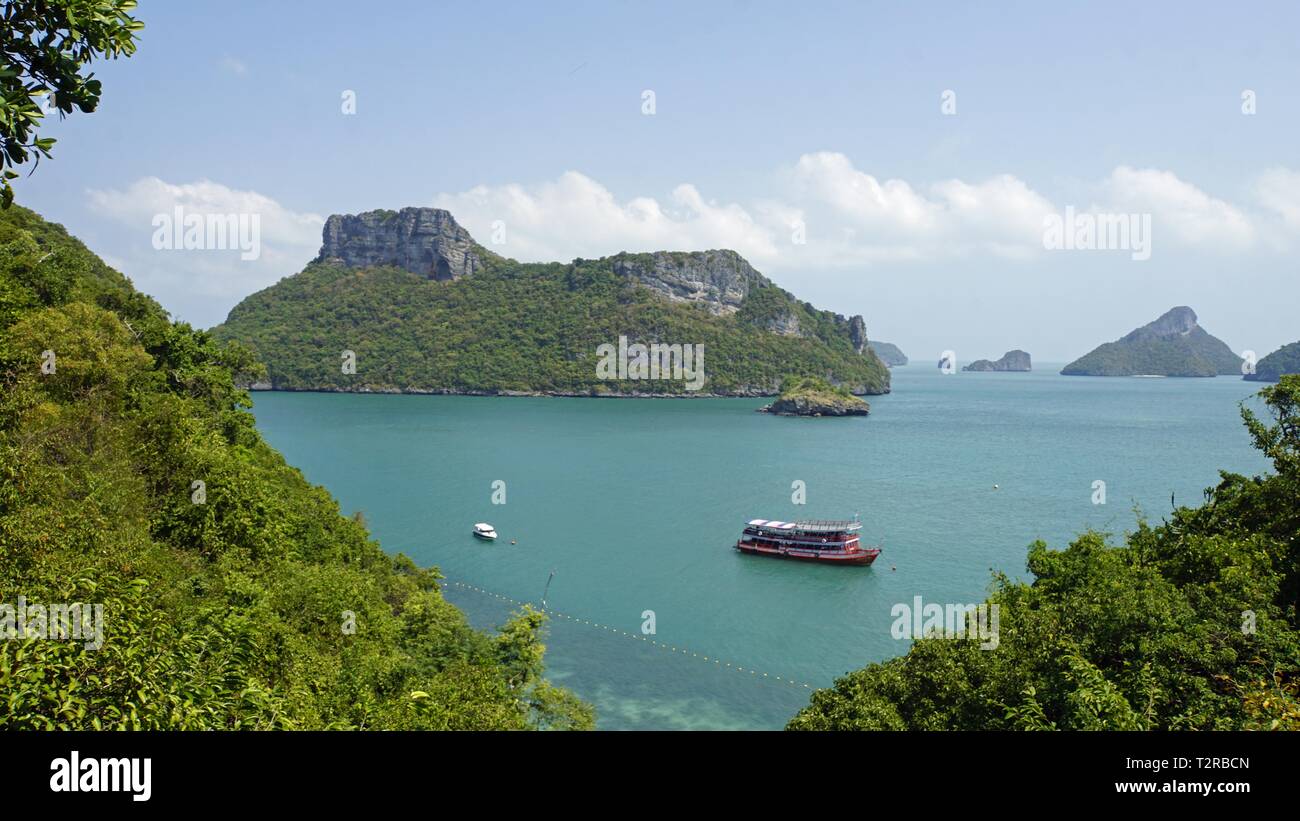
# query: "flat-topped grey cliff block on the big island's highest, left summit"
{"type": "Point", "coordinates": [423, 241]}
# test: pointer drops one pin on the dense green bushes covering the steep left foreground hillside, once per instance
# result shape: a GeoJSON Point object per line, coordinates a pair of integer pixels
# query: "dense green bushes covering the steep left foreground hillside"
{"type": "Point", "coordinates": [252, 606]}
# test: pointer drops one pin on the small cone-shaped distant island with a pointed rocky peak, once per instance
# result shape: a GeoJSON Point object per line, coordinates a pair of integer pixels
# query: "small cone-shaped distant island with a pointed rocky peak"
{"type": "Point", "coordinates": [1172, 346]}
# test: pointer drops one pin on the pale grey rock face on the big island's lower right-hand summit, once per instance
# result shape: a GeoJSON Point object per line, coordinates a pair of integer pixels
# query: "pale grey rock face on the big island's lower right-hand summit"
{"type": "Point", "coordinates": [720, 280]}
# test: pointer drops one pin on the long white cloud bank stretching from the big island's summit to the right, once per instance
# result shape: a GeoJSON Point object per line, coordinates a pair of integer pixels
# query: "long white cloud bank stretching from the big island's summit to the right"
{"type": "Point", "coordinates": [851, 218]}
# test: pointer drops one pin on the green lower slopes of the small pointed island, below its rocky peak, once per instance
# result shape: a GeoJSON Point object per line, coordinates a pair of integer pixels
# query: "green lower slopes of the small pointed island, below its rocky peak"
{"type": "Point", "coordinates": [1194, 355]}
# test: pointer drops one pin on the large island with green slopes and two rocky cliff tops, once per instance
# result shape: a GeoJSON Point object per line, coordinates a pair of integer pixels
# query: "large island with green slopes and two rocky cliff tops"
{"type": "Point", "coordinates": [408, 302]}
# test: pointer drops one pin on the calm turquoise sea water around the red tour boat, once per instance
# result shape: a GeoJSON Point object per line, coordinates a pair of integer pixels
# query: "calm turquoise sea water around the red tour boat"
{"type": "Point", "coordinates": [635, 506]}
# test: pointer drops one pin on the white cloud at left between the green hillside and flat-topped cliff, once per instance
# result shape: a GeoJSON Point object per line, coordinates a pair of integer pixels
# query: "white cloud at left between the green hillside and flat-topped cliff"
{"type": "Point", "coordinates": [202, 286]}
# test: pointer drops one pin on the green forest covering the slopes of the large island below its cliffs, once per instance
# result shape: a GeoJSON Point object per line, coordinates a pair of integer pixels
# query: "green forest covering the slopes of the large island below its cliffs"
{"type": "Point", "coordinates": [525, 328]}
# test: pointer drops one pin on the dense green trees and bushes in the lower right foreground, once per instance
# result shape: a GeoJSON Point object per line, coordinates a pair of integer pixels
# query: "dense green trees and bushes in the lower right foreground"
{"type": "Point", "coordinates": [1154, 633]}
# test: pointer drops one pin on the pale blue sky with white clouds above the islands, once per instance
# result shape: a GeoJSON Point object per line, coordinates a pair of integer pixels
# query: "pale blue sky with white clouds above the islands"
{"type": "Point", "coordinates": [899, 162]}
